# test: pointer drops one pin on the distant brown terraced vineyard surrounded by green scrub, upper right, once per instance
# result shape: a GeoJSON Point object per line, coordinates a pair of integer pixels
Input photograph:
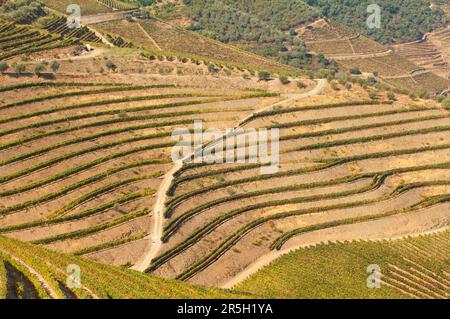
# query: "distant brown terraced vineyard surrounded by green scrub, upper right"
{"type": "Point", "coordinates": [409, 67]}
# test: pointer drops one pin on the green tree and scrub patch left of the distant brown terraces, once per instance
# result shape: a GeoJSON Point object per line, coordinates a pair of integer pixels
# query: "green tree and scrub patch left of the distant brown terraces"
{"type": "Point", "coordinates": [265, 27]}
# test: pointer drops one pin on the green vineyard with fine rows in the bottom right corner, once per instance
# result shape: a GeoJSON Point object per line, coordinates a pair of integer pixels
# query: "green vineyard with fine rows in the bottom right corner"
{"type": "Point", "coordinates": [410, 268]}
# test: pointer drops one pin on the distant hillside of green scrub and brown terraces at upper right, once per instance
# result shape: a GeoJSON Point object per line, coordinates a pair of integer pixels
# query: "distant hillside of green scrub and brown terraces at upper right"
{"type": "Point", "coordinates": [292, 32]}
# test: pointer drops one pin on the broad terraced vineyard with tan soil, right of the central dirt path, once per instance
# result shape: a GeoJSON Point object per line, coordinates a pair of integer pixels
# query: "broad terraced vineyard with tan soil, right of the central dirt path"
{"type": "Point", "coordinates": [371, 165]}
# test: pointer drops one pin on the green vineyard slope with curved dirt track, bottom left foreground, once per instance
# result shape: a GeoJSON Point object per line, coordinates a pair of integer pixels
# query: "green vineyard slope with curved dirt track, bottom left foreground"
{"type": "Point", "coordinates": [28, 272]}
